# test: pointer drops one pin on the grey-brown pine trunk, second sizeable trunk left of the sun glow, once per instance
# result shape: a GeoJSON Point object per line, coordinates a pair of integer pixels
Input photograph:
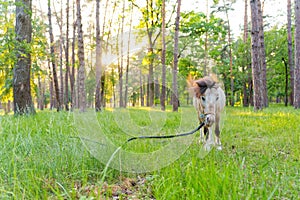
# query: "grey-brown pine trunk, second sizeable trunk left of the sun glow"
{"type": "Point", "coordinates": [81, 70]}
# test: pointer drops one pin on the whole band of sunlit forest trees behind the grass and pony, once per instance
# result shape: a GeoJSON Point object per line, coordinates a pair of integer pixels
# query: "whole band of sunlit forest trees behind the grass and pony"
{"type": "Point", "coordinates": [52, 59]}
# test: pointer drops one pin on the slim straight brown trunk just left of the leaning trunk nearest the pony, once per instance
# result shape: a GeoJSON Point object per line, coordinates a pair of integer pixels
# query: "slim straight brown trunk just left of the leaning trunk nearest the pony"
{"type": "Point", "coordinates": [163, 58]}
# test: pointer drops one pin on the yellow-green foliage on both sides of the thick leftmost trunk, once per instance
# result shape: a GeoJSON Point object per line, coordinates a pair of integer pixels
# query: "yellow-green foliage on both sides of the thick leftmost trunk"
{"type": "Point", "coordinates": [37, 49]}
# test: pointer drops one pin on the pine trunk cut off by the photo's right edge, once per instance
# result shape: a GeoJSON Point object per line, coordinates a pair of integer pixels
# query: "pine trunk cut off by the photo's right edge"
{"type": "Point", "coordinates": [297, 56]}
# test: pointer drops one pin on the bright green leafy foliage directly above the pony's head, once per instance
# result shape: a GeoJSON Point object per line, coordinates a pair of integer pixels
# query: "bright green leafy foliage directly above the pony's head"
{"type": "Point", "coordinates": [198, 31]}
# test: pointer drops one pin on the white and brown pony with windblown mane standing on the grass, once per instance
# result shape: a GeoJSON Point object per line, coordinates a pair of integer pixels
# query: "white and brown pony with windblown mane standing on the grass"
{"type": "Point", "coordinates": [209, 100]}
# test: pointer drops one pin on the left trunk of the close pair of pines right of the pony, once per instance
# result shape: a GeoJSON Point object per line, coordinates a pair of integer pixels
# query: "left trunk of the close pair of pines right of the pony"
{"type": "Point", "coordinates": [256, 64]}
